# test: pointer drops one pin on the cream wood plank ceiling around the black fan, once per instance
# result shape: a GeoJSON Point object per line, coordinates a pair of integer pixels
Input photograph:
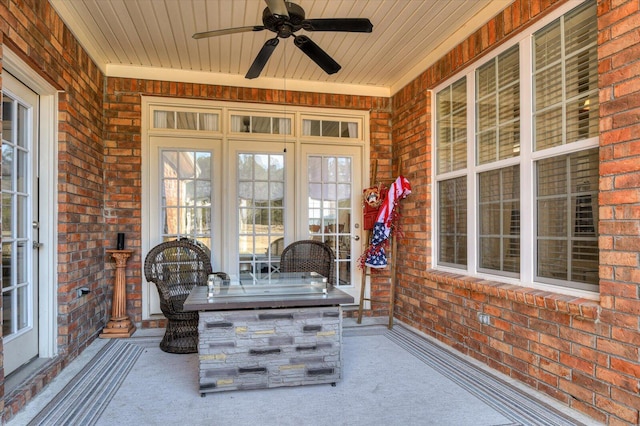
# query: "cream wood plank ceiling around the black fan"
{"type": "Point", "coordinates": [153, 39]}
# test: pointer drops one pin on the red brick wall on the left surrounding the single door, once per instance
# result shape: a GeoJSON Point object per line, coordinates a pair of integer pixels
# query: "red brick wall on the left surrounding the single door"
{"type": "Point", "coordinates": [32, 30]}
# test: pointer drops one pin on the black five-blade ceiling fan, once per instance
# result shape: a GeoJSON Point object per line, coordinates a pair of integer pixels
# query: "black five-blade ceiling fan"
{"type": "Point", "coordinates": [286, 18]}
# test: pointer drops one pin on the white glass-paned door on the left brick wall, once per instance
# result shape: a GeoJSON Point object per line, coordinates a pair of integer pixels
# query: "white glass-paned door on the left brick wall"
{"type": "Point", "coordinates": [19, 223]}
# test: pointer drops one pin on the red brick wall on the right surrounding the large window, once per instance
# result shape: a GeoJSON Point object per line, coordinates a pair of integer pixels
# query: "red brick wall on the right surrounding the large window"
{"type": "Point", "coordinates": [584, 354]}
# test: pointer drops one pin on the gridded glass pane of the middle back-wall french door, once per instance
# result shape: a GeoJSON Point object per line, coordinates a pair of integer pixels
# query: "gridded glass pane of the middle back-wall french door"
{"type": "Point", "coordinates": [260, 212]}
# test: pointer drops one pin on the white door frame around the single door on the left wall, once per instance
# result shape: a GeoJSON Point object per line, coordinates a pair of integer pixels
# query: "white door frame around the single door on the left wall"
{"type": "Point", "coordinates": [48, 199]}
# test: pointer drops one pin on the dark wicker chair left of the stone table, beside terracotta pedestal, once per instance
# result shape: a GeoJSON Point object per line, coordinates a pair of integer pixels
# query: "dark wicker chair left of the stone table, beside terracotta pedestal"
{"type": "Point", "coordinates": [175, 267]}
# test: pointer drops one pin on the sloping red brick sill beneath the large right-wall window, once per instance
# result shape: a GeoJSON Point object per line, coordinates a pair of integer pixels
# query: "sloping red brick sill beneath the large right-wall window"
{"type": "Point", "coordinates": [574, 306]}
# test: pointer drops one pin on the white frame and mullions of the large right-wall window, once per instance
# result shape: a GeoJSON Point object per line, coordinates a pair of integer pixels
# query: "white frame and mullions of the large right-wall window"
{"type": "Point", "coordinates": [526, 160]}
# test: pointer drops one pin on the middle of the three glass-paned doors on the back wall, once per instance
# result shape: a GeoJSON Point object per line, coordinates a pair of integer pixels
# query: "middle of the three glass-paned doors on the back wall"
{"type": "Point", "coordinates": [261, 205]}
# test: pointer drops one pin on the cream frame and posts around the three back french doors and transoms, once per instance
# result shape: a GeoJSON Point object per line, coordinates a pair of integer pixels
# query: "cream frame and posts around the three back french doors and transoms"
{"type": "Point", "coordinates": [226, 136]}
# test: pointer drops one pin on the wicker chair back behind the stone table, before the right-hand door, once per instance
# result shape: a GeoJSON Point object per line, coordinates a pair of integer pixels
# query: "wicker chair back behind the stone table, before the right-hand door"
{"type": "Point", "coordinates": [309, 256]}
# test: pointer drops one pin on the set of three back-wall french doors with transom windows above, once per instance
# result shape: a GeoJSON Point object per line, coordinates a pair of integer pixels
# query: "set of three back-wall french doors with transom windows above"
{"type": "Point", "coordinates": [247, 180]}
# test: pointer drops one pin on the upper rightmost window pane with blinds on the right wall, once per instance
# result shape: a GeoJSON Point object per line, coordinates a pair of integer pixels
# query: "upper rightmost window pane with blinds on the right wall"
{"type": "Point", "coordinates": [565, 79]}
